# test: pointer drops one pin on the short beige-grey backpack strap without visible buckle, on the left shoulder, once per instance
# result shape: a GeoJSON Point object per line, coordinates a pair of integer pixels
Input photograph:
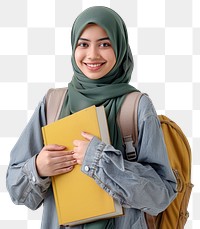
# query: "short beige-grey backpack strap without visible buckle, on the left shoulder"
{"type": "Point", "coordinates": [54, 100]}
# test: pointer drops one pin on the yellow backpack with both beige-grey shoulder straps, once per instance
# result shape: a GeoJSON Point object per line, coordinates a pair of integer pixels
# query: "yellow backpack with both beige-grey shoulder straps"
{"type": "Point", "coordinates": [178, 148]}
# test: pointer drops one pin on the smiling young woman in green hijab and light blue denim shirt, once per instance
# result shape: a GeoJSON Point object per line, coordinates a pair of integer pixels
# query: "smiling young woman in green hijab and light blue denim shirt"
{"type": "Point", "coordinates": [102, 63]}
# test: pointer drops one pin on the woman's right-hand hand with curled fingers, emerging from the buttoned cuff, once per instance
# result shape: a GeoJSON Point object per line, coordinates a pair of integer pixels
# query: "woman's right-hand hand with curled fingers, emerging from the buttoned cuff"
{"type": "Point", "coordinates": [80, 147]}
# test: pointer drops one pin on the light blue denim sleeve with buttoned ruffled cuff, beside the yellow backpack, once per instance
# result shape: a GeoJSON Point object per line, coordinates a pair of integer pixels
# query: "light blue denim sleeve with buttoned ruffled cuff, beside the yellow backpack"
{"type": "Point", "coordinates": [147, 184]}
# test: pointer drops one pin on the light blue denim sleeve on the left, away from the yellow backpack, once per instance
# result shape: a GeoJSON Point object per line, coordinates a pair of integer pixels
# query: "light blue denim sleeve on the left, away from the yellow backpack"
{"type": "Point", "coordinates": [23, 182]}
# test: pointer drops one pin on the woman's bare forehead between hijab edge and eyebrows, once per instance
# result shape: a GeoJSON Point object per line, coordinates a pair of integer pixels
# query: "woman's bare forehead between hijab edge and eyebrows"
{"type": "Point", "coordinates": [93, 31]}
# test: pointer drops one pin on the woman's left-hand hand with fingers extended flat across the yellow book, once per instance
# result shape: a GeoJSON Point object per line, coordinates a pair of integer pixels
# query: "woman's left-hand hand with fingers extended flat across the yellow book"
{"type": "Point", "coordinates": [54, 160]}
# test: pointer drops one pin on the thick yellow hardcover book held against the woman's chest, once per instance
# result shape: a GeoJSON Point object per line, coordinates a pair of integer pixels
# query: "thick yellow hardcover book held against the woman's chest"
{"type": "Point", "coordinates": [78, 198]}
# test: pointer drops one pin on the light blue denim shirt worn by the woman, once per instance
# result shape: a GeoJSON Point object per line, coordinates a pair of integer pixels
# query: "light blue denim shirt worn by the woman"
{"type": "Point", "coordinates": [146, 185]}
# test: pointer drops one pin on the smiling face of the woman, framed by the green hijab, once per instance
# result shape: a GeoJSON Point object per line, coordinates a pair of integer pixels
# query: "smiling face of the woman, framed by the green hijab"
{"type": "Point", "coordinates": [94, 54]}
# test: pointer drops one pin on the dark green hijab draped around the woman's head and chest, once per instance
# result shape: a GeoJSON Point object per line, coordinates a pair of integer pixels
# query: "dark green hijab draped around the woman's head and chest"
{"type": "Point", "coordinates": [111, 89]}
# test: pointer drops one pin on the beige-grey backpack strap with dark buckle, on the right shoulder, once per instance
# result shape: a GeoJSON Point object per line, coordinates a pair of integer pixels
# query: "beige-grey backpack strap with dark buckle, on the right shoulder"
{"type": "Point", "coordinates": [127, 121]}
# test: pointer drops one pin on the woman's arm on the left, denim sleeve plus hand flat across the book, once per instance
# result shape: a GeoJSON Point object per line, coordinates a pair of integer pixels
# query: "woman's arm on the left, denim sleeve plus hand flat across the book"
{"type": "Point", "coordinates": [32, 163]}
